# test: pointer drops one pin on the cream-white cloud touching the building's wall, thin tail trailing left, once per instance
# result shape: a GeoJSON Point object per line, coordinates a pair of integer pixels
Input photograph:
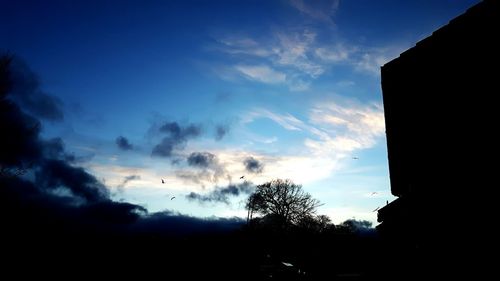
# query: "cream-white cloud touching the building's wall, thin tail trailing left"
{"type": "Point", "coordinates": [336, 129]}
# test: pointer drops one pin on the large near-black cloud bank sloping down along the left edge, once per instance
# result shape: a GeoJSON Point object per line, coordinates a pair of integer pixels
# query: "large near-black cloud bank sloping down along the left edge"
{"type": "Point", "coordinates": [22, 149]}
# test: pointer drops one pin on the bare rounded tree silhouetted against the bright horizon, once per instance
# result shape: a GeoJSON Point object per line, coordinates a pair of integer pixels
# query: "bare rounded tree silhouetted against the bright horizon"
{"type": "Point", "coordinates": [282, 200]}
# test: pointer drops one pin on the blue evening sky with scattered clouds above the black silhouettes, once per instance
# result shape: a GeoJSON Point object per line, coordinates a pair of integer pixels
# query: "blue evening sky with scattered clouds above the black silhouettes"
{"type": "Point", "coordinates": [215, 97]}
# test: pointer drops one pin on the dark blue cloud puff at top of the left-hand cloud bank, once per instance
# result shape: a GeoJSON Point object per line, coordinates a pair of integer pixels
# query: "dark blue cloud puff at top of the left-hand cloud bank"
{"type": "Point", "coordinates": [25, 91]}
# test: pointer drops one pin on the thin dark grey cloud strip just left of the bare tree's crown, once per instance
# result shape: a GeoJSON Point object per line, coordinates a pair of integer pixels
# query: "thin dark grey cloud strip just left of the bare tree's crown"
{"type": "Point", "coordinates": [222, 194]}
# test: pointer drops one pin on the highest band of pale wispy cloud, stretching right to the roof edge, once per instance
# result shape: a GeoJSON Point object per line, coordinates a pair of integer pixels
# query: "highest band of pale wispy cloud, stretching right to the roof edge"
{"type": "Point", "coordinates": [297, 58]}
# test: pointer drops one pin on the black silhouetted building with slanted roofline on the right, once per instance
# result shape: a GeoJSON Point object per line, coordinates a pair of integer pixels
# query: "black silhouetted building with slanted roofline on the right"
{"type": "Point", "coordinates": [440, 103]}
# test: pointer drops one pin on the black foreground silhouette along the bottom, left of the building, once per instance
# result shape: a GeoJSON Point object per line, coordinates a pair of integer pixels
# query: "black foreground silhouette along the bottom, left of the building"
{"type": "Point", "coordinates": [63, 242]}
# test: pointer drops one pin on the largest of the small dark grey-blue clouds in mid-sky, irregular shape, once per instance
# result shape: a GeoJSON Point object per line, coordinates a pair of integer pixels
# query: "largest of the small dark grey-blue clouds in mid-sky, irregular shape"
{"type": "Point", "coordinates": [175, 139]}
